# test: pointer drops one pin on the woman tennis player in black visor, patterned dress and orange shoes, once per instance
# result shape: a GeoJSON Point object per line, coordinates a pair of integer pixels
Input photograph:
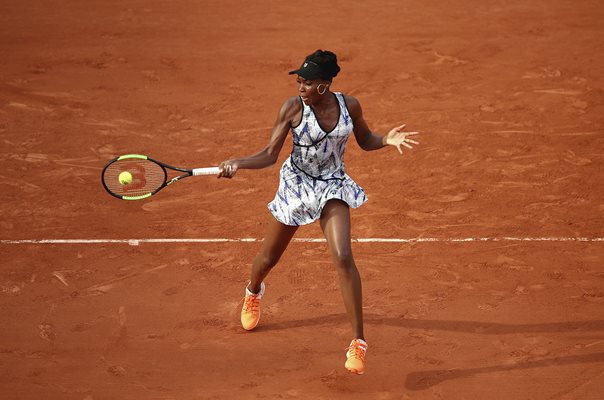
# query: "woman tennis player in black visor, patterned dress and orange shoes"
{"type": "Point", "coordinates": [313, 185]}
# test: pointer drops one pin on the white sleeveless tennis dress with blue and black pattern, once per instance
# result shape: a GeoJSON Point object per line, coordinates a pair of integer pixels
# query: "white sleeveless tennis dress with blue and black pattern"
{"type": "Point", "coordinates": [314, 172]}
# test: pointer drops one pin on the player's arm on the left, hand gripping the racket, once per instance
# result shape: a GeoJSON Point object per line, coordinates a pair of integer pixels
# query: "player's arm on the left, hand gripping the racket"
{"type": "Point", "coordinates": [290, 110]}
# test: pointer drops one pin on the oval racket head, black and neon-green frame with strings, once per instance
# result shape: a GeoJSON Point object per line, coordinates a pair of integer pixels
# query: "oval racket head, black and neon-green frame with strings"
{"type": "Point", "coordinates": [148, 177]}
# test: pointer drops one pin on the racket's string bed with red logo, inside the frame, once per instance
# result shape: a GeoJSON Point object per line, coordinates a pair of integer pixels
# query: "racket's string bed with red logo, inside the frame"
{"type": "Point", "coordinates": [147, 177]}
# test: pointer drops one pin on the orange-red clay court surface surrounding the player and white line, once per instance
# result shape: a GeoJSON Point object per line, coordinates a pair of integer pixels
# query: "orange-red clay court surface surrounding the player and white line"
{"type": "Point", "coordinates": [509, 98]}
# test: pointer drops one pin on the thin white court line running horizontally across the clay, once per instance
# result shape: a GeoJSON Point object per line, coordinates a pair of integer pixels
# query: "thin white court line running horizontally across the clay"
{"type": "Point", "coordinates": [136, 242]}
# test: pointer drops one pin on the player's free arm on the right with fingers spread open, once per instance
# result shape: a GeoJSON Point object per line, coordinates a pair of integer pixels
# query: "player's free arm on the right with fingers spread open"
{"type": "Point", "coordinates": [368, 140]}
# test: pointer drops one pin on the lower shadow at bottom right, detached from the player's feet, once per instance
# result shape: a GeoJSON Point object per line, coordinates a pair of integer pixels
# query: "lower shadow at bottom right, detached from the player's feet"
{"type": "Point", "coordinates": [422, 380]}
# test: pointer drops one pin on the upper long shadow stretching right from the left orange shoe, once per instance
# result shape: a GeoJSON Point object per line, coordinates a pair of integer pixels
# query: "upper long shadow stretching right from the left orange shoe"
{"type": "Point", "coordinates": [477, 327]}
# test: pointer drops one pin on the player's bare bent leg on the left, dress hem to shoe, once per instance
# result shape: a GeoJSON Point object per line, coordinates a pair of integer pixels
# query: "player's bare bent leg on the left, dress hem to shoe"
{"type": "Point", "coordinates": [275, 242]}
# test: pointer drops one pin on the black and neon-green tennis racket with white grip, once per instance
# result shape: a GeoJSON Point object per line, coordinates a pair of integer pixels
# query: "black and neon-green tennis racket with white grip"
{"type": "Point", "coordinates": [137, 177]}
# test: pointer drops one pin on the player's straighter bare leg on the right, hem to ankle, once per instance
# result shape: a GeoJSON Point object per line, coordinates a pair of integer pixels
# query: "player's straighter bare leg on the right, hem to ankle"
{"type": "Point", "coordinates": [335, 223]}
